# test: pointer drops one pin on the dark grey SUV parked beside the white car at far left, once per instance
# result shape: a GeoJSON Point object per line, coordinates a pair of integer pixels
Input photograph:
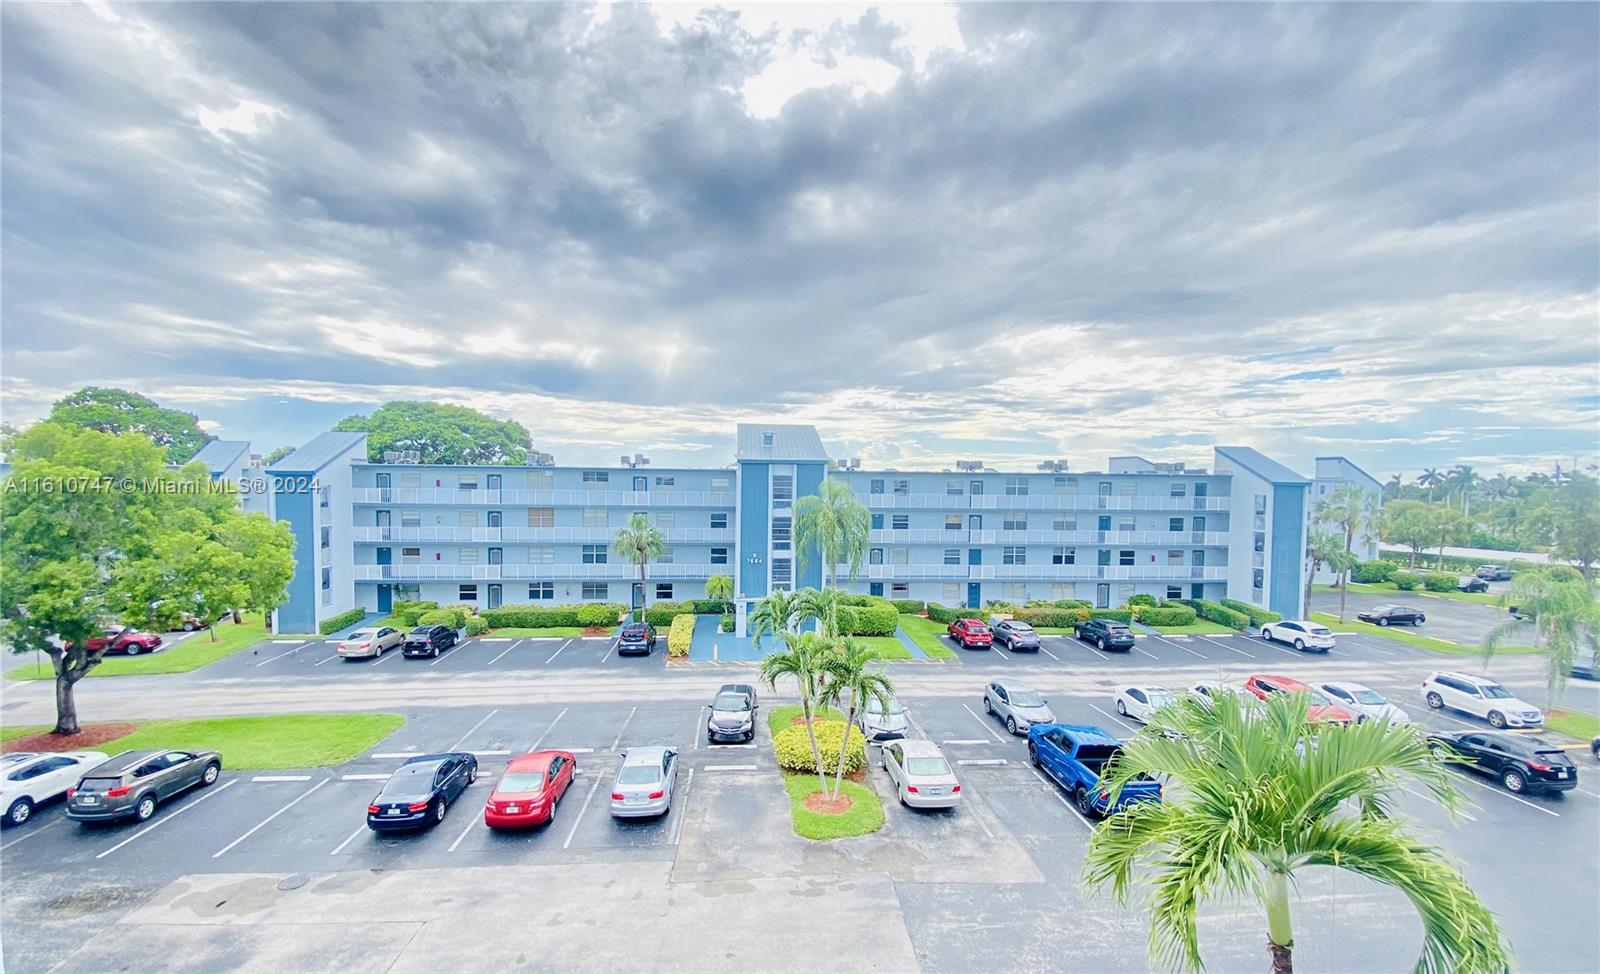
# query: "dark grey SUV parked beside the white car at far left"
{"type": "Point", "coordinates": [135, 783]}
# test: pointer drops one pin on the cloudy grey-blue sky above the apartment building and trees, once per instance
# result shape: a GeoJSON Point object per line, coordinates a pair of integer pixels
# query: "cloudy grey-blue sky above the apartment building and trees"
{"type": "Point", "coordinates": [986, 231]}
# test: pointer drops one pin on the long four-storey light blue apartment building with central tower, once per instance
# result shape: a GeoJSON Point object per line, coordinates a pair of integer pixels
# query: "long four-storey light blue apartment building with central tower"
{"type": "Point", "coordinates": [369, 535]}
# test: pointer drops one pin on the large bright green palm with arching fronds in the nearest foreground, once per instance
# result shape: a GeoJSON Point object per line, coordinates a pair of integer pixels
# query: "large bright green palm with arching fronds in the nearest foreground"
{"type": "Point", "coordinates": [1262, 794]}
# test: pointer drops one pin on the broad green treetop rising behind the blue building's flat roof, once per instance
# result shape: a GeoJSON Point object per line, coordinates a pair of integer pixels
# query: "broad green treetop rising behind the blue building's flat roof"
{"type": "Point", "coordinates": [442, 434]}
